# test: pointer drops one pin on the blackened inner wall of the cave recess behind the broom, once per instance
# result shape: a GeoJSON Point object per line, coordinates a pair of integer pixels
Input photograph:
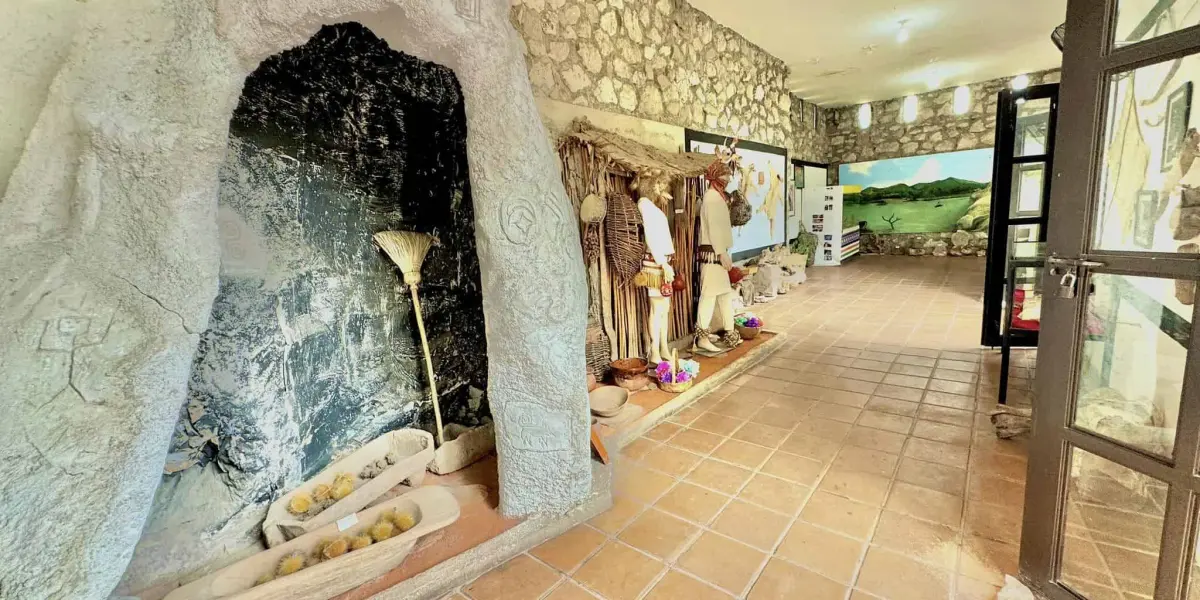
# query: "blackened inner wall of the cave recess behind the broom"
{"type": "Point", "coordinates": [313, 346]}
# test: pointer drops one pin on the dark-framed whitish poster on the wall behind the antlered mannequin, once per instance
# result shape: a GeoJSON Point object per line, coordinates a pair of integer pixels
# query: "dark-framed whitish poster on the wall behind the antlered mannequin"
{"type": "Point", "coordinates": [764, 184]}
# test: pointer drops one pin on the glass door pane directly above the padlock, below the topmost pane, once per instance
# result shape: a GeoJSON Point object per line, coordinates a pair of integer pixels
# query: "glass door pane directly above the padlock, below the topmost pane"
{"type": "Point", "coordinates": [1150, 188]}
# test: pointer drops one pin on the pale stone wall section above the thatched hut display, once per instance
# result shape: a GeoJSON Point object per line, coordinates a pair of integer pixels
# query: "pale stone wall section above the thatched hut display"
{"type": "Point", "coordinates": [656, 59]}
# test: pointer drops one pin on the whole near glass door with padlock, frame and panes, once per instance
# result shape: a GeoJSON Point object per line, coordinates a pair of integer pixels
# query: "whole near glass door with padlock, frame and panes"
{"type": "Point", "coordinates": [1112, 505]}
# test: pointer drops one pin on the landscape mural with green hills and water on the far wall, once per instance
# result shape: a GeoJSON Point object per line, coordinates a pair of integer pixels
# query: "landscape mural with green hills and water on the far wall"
{"type": "Point", "coordinates": [941, 193]}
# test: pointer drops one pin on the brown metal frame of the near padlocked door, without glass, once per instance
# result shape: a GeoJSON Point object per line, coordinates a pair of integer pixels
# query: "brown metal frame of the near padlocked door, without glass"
{"type": "Point", "coordinates": [1089, 63]}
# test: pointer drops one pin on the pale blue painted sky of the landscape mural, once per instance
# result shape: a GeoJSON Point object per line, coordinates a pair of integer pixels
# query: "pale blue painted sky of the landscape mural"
{"type": "Point", "coordinates": [973, 165]}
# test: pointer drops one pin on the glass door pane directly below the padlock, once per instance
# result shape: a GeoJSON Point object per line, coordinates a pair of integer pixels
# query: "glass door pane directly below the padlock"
{"type": "Point", "coordinates": [1133, 359]}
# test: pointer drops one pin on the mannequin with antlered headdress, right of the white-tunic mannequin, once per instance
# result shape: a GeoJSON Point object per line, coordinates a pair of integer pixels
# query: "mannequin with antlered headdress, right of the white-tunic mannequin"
{"type": "Point", "coordinates": [716, 243]}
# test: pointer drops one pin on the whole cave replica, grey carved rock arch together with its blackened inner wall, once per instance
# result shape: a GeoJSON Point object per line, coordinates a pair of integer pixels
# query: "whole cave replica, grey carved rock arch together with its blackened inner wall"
{"type": "Point", "coordinates": [199, 320]}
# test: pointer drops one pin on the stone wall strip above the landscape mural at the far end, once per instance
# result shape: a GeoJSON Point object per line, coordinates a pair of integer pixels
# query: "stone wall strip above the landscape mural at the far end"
{"type": "Point", "coordinates": [937, 129]}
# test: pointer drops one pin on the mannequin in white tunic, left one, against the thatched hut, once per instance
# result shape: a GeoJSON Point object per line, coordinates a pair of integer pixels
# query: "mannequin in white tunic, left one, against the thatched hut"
{"type": "Point", "coordinates": [656, 199]}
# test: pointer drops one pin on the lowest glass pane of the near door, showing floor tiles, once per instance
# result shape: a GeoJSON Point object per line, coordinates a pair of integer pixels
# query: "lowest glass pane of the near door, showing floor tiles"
{"type": "Point", "coordinates": [1114, 530]}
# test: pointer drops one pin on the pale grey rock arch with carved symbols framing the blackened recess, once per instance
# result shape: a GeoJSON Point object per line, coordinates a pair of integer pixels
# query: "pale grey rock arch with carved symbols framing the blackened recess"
{"type": "Point", "coordinates": [111, 254]}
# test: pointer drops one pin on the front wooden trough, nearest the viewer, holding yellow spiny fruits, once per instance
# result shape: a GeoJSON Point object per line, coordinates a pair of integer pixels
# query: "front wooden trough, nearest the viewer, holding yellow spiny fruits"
{"type": "Point", "coordinates": [434, 508]}
